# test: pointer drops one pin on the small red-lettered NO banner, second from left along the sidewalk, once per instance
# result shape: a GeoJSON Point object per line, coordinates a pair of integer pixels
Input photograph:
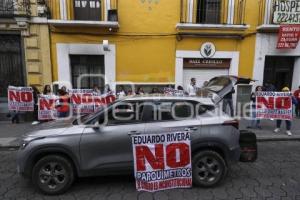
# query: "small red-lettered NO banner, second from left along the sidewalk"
{"type": "Point", "coordinates": [46, 107]}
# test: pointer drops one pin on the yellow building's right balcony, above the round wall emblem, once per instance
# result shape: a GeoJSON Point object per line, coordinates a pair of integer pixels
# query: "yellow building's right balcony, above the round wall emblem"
{"type": "Point", "coordinates": [212, 15]}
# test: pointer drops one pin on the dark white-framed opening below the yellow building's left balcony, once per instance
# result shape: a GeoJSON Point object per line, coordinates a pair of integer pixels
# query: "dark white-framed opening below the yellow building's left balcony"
{"type": "Point", "coordinates": [85, 65]}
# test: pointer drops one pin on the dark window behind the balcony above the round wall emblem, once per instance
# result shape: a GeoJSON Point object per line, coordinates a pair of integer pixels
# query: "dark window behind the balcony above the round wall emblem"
{"type": "Point", "coordinates": [209, 11]}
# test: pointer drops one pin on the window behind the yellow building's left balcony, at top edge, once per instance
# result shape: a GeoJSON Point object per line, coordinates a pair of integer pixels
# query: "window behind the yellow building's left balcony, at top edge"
{"type": "Point", "coordinates": [87, 10]}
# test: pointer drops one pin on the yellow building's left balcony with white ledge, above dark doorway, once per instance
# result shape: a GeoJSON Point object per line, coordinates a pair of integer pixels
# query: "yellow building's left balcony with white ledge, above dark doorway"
{"type": "Point", "coordinates": [83, 13]}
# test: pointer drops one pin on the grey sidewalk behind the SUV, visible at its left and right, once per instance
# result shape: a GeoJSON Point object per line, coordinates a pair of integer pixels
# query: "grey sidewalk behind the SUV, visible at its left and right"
{"type": "Point", "coordinates": [11, 133]}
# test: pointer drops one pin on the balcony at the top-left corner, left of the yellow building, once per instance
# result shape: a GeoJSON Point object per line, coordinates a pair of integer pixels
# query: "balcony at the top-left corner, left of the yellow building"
{"type": "Point", "coordinates": [14, 8]}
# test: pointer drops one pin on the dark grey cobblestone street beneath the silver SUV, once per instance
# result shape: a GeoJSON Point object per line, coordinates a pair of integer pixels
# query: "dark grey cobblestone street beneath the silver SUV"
{"type": "Point", "coordinates": [276, 175]}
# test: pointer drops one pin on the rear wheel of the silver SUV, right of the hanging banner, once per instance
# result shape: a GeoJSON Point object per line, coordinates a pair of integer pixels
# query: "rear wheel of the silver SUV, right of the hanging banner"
{"type": "Point", "coordinates": [209, 168]}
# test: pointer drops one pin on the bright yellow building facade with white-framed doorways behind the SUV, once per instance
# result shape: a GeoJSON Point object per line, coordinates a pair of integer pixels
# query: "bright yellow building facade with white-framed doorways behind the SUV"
{"type": "Point", "coordinates": [153, 42]}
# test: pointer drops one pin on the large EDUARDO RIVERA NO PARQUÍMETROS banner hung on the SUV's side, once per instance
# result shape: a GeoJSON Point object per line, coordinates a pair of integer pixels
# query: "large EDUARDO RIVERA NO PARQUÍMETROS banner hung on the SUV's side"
{"type": "Point", "coordinates": [162, 161]}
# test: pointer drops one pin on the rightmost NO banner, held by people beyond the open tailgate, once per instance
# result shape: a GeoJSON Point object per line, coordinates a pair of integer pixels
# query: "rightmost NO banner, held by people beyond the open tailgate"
{"type": "Point", "coordinates": [274, 105]}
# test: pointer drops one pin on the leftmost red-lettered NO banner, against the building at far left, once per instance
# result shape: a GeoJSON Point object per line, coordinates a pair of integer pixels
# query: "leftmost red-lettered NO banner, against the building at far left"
{"type": "Point", "coordinates": [20, 98]}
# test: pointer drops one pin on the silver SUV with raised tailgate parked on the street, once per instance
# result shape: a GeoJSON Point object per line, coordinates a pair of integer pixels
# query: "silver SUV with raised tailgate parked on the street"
{"type": "Point", "coordinates": [57, 152]}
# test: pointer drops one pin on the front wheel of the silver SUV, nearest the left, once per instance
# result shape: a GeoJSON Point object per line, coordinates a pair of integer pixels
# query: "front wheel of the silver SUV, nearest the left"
{"type": "Point", "coordinates": [53, 174]}
